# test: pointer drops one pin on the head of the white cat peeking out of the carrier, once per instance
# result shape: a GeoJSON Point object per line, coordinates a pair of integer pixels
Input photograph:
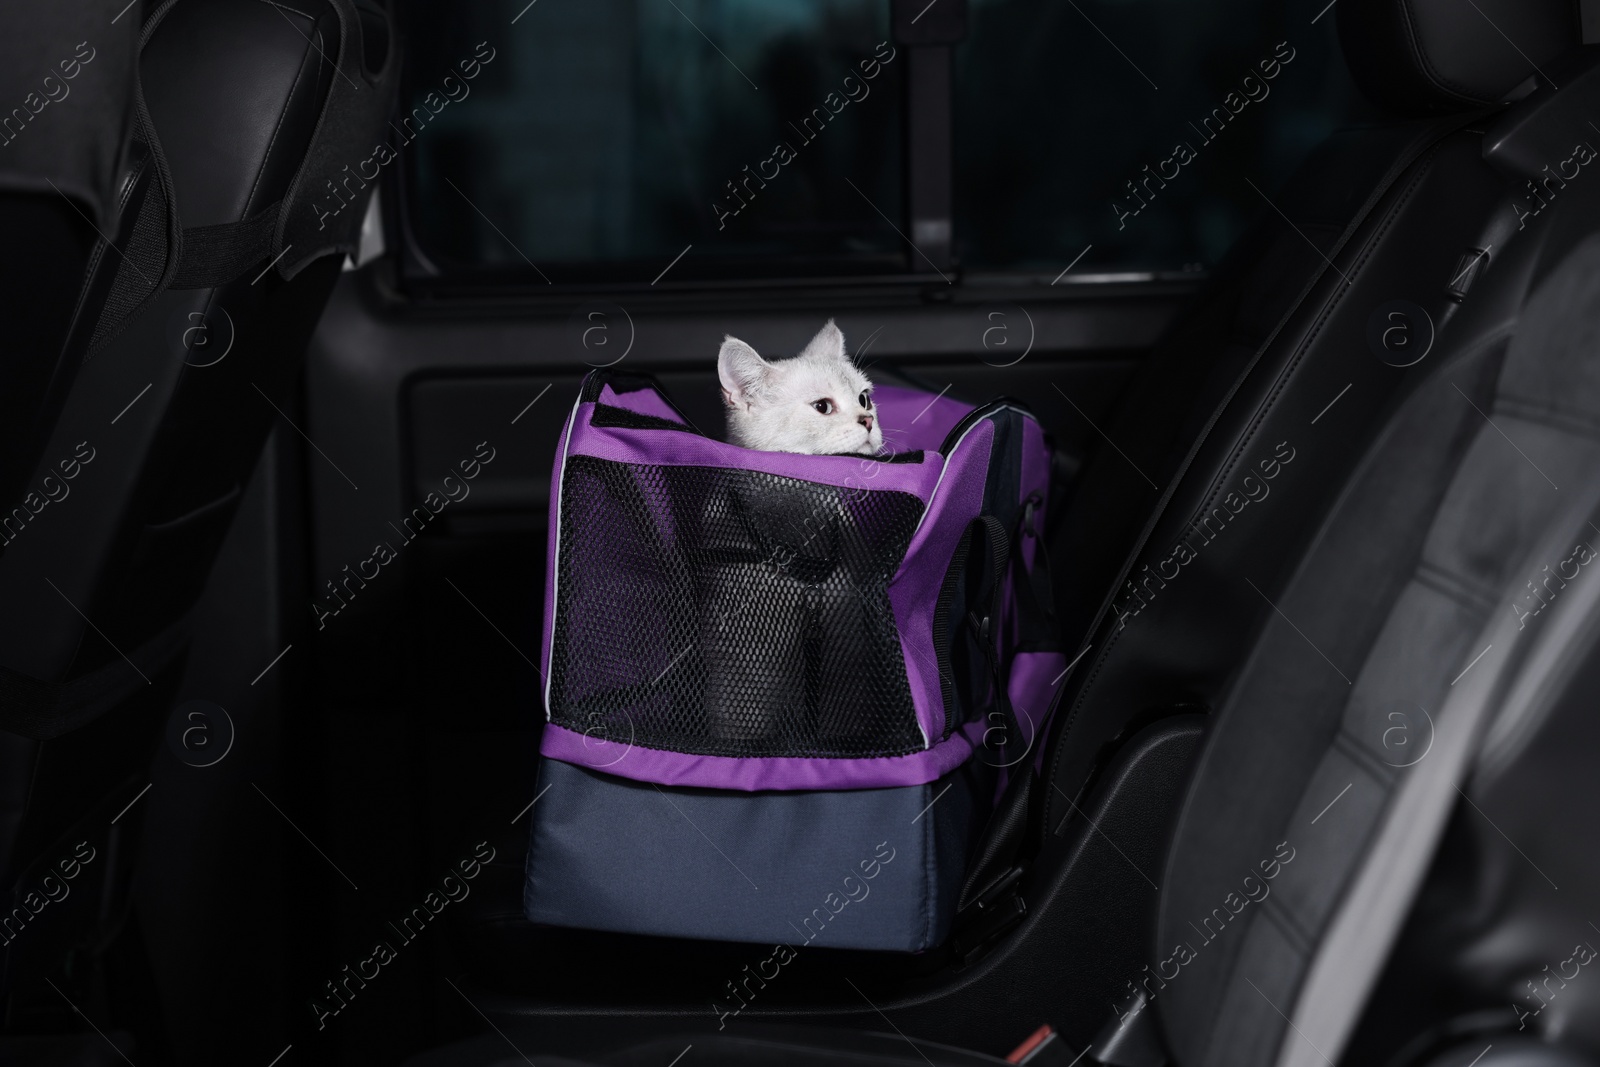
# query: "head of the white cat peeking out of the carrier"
{"type": "Point", "coordinates": [817, 402]}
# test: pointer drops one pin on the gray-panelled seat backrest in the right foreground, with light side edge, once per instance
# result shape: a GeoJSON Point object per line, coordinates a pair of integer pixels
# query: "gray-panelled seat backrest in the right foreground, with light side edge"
{"type": "Point", "coordinates": [1414, 597]}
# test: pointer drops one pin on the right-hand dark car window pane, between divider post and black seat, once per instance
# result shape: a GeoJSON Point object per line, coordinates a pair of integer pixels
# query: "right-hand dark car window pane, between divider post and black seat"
{"type": "Point", "coordinates": [1140, 135]}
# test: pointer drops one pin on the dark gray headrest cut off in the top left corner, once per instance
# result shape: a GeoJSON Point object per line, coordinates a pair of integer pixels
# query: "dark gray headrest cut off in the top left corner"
{"type": "Point", "coordinates": [66, 50]}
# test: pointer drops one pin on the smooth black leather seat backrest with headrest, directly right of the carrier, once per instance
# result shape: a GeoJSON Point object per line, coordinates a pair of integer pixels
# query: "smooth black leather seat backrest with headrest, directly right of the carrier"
{"type": "Point", "coordinates": [1263, 396]}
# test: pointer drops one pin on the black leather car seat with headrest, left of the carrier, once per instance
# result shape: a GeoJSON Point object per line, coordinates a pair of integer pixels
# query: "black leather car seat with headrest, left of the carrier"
{"type": "Point", "coordinates": [186, 346]}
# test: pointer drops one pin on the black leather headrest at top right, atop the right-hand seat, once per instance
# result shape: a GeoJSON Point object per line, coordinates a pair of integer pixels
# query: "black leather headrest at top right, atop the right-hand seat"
{"type": "Point", "coordinates": [1441, 57]}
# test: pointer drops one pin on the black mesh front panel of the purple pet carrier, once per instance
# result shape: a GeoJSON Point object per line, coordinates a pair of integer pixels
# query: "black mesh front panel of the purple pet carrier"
{"type": "Point", "coordinates": [732, 613]}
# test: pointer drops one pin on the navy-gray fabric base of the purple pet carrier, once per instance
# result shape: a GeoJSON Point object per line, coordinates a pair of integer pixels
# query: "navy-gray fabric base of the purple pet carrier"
{"type": "Point", "coordinates": [860, 869]}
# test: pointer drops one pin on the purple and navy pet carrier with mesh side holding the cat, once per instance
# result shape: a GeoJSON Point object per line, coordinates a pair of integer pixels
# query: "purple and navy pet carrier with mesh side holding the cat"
{"type": "Point", "coordinates": [786, 693]}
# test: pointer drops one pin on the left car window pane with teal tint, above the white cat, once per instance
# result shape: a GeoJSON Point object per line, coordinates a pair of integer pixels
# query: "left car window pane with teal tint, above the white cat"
{"type": "Point", "coordinates": [606, 138]}
